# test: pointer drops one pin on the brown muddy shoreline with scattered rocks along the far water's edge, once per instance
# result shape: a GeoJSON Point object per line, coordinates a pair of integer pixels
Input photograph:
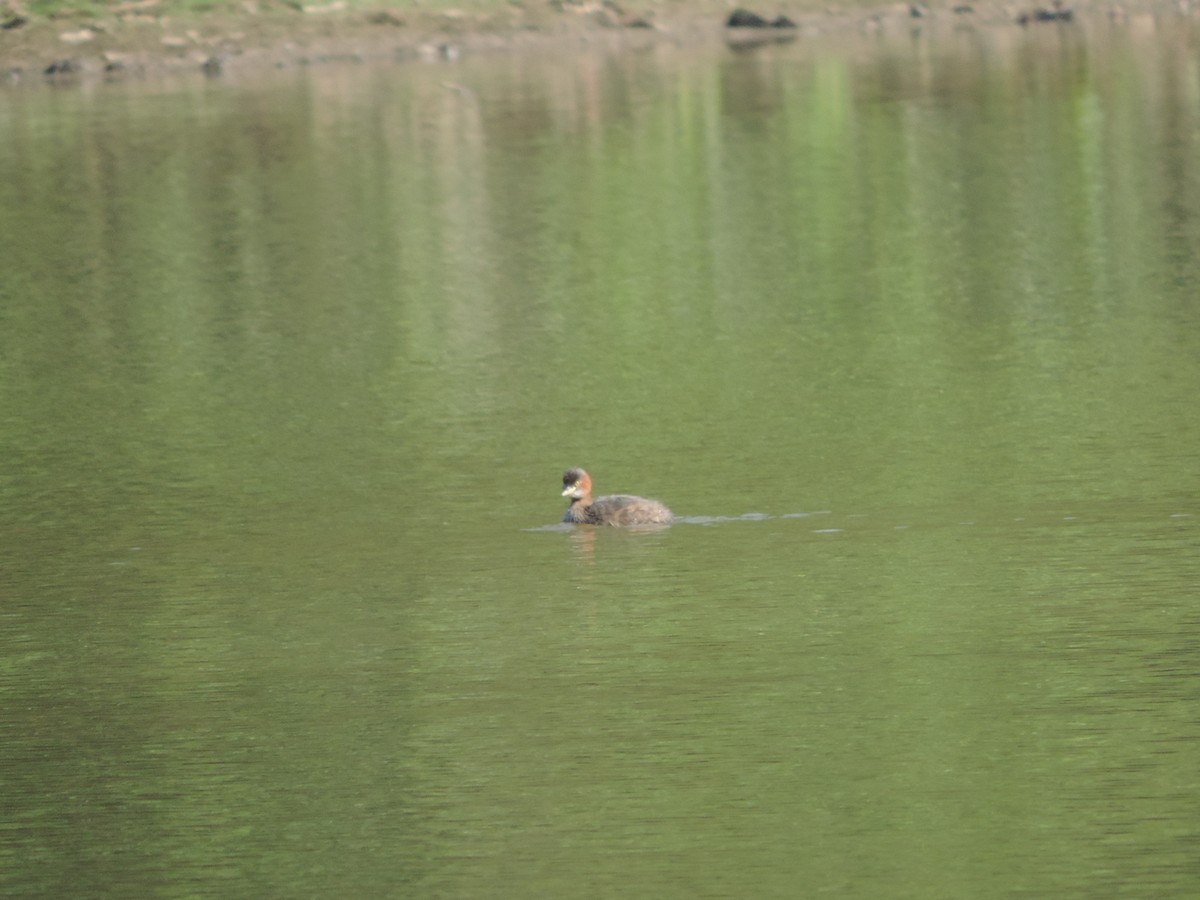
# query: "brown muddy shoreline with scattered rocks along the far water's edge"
{"type": "Point", "coordinates": [131, 43]}
